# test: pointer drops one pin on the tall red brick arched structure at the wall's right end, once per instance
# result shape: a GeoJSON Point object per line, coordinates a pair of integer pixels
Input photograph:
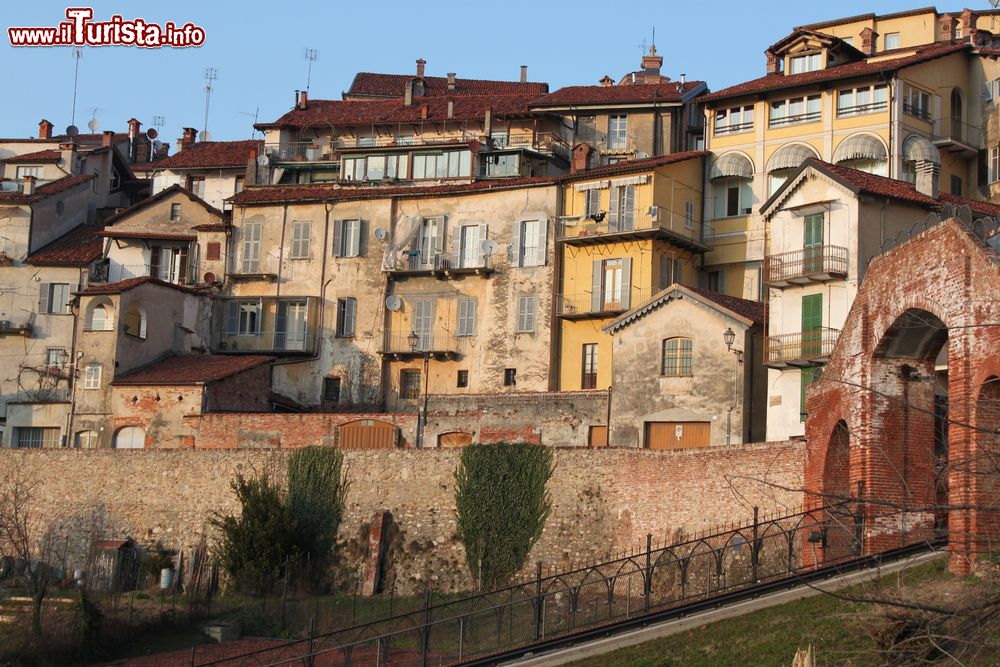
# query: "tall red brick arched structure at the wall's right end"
{"type": "Point", "coordinates": [881, 382]}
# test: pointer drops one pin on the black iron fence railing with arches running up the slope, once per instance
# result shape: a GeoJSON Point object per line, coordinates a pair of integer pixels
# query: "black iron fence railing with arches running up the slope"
{"type": "Point", "coordinates": [545, 607]}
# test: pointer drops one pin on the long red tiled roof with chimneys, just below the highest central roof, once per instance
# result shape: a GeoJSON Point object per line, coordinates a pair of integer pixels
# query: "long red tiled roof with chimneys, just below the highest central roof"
{"type": "Point", "coordinates": [368, 112]}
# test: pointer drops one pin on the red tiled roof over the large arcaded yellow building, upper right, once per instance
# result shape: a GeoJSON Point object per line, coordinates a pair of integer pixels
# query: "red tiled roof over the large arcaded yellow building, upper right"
{"type": "Point", "coordinates": [861, 68]}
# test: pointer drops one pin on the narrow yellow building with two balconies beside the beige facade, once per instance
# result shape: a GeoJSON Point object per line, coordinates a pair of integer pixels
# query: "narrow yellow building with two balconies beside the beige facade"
{"type": "Point", "coordinates": [628, 231]}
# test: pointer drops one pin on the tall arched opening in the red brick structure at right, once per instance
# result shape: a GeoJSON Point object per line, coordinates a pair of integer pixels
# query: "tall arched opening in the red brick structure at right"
{"type": "Point", "coordinates": [908, 467]}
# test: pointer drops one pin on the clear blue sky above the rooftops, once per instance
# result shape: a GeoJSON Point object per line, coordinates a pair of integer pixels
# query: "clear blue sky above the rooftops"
{"type": "Point", "coordinates": [258, 48]}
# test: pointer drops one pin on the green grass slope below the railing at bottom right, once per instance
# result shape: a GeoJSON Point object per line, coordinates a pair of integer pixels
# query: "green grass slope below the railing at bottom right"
{"type": "Point", "coordinates": [838, 630]}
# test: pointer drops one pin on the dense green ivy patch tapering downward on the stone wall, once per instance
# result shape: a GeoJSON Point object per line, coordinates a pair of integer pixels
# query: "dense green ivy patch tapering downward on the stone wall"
{"type": "Point", "coordinates": [502, 506]}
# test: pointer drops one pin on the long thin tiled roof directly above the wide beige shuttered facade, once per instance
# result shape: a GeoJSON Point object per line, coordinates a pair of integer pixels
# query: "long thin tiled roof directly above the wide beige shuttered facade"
{"type": "Point", "coordinates": [269, 194]}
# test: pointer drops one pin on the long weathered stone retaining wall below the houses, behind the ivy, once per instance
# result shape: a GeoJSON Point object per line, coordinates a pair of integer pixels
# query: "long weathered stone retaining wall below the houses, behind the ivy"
{"type": "Point", "coordinates": [604, 501]}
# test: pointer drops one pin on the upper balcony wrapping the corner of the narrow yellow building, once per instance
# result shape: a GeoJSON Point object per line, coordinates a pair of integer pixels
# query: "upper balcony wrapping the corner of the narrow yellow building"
{"type": "Point", "coordinates": [654, 222]}
